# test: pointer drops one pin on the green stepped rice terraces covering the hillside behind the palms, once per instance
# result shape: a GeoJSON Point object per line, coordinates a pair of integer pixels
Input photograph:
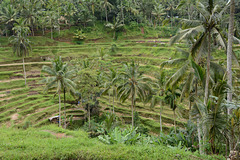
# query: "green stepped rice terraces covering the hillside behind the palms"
{"type": "Point", "coordinates": [22, 105]}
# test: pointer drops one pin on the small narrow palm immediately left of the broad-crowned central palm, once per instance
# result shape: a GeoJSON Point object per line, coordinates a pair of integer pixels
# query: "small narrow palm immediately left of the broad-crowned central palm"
{"type": "Point", "coordinates": [111, 80]}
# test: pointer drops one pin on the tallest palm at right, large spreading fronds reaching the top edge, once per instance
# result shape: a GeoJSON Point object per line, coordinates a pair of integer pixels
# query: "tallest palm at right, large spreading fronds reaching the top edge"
{"type": "Point", "coordinates": [205, 29]}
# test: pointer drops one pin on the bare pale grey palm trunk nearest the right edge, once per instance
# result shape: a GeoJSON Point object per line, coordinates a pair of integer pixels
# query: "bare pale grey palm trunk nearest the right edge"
{"type": "Point", "coordinates": [229, 50]}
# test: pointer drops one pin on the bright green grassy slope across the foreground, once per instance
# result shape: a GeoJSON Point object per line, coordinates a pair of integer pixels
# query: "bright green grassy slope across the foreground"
{"type": "Point", "coordinates": [37, 144]}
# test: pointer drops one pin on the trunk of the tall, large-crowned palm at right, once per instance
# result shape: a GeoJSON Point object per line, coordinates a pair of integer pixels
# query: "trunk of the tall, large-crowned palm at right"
{"type": "Point", "coordinates": [208, 69]}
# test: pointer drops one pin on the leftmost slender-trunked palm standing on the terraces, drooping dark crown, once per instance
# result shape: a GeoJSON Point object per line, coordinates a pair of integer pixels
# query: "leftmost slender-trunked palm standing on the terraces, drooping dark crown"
{"type": "Point", "coordinates": [21, 44]}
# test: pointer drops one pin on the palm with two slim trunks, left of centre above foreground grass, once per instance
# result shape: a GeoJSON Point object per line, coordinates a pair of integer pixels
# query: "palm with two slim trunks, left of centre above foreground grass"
{"type": "Point", "coordinates": [60, 77]}
